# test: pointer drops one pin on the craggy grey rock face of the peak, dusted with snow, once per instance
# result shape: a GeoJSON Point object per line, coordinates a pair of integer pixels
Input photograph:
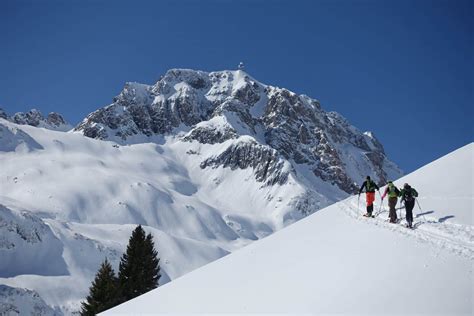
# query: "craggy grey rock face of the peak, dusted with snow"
{"type": "Point", "coordinates": [219, 106]}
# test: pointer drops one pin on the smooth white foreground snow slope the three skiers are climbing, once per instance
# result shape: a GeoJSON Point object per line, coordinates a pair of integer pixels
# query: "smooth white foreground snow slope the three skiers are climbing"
{"type": "Point", "coordinates": [336, 261]}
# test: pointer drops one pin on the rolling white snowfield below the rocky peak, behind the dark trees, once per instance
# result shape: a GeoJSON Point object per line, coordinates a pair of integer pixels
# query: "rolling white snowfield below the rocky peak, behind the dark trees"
{"type": "Point", "coordinates": [87, 196]}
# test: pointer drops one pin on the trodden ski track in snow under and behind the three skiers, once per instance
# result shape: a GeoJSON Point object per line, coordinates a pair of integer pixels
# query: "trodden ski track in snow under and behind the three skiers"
{"type": "Point", "coordinates": [443, 235]}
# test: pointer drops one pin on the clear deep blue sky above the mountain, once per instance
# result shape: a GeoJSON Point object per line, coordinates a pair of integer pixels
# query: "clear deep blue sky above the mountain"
{"type": "Point", "coordinates": [402, 69]}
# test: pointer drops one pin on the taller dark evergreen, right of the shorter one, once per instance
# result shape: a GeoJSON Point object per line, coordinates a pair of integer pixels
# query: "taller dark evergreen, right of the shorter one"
{"type": "Point", "coordinates": [139, 269]}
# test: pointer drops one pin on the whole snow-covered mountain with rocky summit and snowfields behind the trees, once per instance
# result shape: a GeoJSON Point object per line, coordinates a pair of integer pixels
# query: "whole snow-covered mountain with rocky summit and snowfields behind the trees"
{"type": "Point", "coordinates": [206, 162]}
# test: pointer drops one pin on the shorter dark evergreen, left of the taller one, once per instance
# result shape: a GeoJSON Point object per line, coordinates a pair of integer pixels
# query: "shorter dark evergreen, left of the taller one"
{"type": "Point", "coordinates": [103, 291]}
